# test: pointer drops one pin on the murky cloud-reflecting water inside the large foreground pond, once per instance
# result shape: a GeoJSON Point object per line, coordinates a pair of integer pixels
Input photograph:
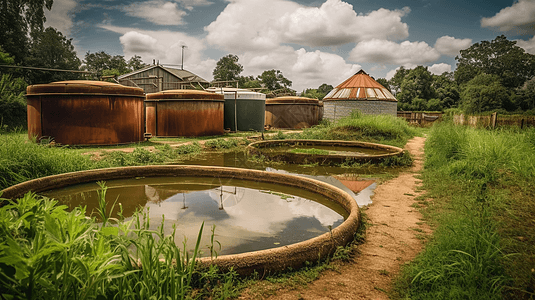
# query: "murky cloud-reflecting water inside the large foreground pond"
{"type": "Point", "coordinates": [248, 215]}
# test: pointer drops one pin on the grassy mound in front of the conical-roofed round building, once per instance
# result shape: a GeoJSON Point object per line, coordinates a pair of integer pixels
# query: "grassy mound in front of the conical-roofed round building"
{"type": "Point", "coordinates": [371, 128]}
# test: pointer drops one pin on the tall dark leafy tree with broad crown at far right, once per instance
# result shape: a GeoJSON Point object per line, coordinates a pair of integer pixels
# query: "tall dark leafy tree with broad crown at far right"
{"type": "Point", "coordinates": [499, 57]}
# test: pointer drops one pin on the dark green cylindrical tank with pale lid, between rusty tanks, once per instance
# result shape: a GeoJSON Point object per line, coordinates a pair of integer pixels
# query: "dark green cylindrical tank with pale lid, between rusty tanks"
{"type": "Point", "coordinates": [244, 109]}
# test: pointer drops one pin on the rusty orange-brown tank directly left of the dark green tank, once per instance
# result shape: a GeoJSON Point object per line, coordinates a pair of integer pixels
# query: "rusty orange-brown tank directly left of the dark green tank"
{"type": "Point", "coordinates": [184, 113]}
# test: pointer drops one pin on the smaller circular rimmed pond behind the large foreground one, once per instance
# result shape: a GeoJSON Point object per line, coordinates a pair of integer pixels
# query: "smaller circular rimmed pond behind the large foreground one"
{"type": "Point", "coordinates": [322, 151]}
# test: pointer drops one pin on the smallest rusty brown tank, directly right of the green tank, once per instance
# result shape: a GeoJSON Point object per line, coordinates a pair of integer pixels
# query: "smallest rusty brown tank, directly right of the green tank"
{"type": "Point", "coordinates": [293, 112]}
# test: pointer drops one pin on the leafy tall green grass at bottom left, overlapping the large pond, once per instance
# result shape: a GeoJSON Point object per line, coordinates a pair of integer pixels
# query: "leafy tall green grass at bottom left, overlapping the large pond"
{"type": "Point", "coordinates": [47, 252]}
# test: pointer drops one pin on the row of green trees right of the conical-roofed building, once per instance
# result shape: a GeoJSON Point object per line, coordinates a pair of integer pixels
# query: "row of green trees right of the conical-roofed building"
{"type": "Point", "coordinates": [492, 75]}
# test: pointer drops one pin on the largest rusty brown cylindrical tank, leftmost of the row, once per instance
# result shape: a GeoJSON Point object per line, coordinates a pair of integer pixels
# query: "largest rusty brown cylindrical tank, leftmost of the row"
{"type": "Point", "coordinates": [81, 112]}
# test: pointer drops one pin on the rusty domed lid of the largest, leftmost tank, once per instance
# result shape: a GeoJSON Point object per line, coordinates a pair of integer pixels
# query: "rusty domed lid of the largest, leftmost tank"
{"type": "Point", "coordinates": [83, 87]}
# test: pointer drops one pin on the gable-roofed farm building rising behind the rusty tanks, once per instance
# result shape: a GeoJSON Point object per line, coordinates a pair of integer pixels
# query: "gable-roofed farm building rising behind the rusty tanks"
{"type": "Point", "coordinates": [156, 78]}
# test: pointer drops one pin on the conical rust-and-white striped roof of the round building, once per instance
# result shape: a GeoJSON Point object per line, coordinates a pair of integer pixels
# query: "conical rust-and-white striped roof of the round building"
{"type": "Point", "coordinates": [360, 87]}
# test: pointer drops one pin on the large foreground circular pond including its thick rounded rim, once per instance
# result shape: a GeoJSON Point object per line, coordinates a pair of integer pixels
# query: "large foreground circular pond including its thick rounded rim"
{"type": "Point", "coordinates": [219, 193]}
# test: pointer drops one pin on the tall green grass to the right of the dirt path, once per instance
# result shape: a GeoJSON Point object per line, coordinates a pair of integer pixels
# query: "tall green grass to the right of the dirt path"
{"type": "Point", "coordinates": [480, 200]}
